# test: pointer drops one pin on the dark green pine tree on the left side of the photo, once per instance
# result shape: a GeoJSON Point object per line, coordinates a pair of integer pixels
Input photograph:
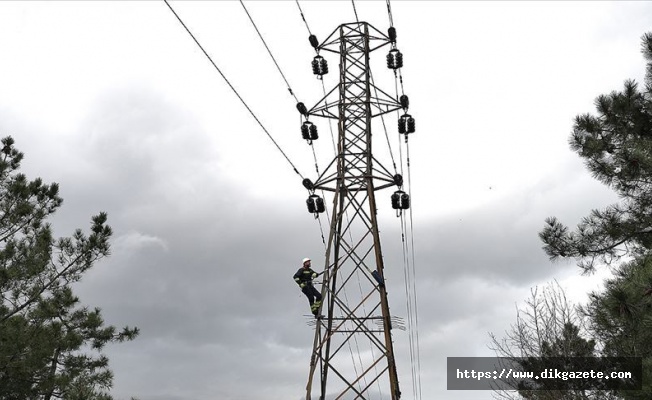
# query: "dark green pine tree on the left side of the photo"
{"type": "Point", "coordinates": [50, 345]}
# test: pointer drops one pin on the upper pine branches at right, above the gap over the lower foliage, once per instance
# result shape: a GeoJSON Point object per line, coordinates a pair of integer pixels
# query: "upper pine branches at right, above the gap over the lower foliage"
{"type": "Point", "coordinates": [617, 148]}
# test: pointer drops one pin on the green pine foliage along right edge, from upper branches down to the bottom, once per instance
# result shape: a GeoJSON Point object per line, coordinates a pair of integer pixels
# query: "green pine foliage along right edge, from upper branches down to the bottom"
{"type": "Point", "coordinates": [616, 145]}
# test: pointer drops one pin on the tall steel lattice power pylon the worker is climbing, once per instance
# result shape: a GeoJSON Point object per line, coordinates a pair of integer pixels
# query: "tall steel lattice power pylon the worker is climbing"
{"type": "Point", "coordinates": [355, 304]}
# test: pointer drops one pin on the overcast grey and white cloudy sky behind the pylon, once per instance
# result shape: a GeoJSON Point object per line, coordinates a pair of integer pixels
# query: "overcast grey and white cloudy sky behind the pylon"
{"type": "Point", "coordinates": [114, 101]}
